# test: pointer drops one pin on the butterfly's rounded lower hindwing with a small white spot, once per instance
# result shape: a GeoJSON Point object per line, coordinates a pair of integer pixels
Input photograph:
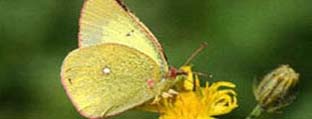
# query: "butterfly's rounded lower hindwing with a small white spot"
{"type": "Point", "coordinates": [107, 79]}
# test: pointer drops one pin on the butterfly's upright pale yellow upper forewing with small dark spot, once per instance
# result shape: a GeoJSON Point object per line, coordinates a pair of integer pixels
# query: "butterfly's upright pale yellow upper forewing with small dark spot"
{"type": "Point", "coordinates": [108, 21]}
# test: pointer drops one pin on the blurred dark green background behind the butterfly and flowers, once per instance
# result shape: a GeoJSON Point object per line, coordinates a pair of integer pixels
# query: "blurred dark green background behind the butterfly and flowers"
{"type": "Point", "coordinates": [247, 39]}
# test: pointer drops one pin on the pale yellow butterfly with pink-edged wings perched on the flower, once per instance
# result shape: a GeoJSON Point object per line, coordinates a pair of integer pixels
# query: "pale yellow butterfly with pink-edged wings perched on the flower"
{"type": "Point", "coordinates": [119, 63]}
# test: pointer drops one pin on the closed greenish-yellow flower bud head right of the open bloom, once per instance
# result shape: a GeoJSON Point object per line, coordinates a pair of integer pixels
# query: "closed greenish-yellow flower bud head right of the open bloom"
{"type": "Point", "coordinates": [276, 90]}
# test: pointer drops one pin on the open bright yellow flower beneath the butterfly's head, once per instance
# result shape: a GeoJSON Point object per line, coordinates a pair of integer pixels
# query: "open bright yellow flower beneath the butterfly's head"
{"type": "Point", "coordinates": [195, 102]}
